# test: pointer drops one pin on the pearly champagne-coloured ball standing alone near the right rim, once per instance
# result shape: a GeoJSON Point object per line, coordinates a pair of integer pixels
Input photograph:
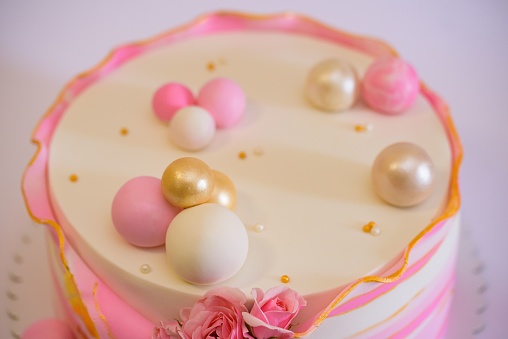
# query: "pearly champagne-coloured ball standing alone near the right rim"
{"type": "Point", "coordinates": [403, 174]}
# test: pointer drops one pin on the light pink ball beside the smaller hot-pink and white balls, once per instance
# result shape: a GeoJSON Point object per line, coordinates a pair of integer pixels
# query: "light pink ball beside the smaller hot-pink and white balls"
{"type": "Point", "coordinates": [225, 101]}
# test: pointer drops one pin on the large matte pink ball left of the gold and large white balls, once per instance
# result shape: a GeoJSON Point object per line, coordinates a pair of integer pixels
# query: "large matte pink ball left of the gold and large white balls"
{"type": "Point", "coordinates": [140, 212]}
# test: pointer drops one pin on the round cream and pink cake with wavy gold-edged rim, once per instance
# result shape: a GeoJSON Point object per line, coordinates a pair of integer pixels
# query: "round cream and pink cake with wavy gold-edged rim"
{"type": "Point", "coordinates": [326, 250]}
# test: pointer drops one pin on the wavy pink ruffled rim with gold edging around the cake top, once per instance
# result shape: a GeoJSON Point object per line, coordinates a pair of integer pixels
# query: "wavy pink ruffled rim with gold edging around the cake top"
{"type": "Point", "coordinates": [35, 190]}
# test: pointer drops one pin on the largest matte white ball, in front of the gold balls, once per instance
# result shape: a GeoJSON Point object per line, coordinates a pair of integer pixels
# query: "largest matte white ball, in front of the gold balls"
{"type": "Point", "coordinates": [206, 244]}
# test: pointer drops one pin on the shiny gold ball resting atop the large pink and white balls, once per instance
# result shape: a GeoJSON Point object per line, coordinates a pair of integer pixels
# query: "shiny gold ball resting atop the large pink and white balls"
{"type": "Point", "coordinates": [187, 182]}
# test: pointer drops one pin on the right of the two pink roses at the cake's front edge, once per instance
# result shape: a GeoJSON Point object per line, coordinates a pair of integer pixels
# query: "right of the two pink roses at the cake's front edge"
{"type": "Point", "coordinates": [272, 313]}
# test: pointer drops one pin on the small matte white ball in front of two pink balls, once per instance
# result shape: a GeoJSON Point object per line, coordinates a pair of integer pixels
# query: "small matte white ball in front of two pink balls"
{"type": "Point", "coordinates": [192, 128]}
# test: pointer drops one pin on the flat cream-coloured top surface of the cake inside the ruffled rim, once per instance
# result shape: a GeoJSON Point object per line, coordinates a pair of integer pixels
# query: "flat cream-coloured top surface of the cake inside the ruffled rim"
{"type": "Point", "coordinates": [305, 176]}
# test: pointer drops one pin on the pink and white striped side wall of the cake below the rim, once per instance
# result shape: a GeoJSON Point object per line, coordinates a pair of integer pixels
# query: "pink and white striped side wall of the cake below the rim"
{"type": "Point", "coordinates": [411, 306]}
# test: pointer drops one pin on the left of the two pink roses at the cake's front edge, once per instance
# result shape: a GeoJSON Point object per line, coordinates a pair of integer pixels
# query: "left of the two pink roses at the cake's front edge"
{"type": "Point", "coordinates": [217, 315]}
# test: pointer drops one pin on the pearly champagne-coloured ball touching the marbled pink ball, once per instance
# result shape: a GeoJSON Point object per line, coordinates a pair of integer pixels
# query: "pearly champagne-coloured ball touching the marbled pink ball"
{"type": "Point", "coordinates": [332, 85]}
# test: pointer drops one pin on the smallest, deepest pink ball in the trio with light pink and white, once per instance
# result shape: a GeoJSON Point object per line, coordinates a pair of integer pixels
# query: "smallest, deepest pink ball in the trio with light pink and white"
{"type": "Point", "coordinates": [169, 98]}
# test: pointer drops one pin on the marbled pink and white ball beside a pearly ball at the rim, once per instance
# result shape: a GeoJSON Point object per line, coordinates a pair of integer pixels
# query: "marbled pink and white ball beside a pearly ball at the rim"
{"type": "Point", "coordinates": [390, 86]}
